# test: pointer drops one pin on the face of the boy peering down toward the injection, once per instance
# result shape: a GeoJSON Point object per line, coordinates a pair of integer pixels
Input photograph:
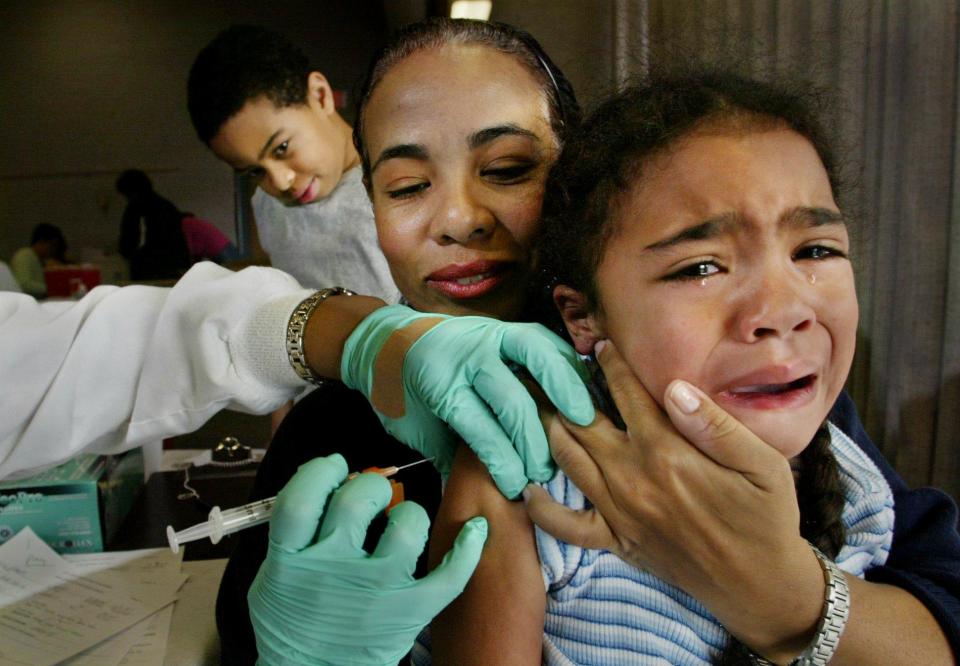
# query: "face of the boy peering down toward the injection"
{"type": "Point", "coordinates": [296, 153]}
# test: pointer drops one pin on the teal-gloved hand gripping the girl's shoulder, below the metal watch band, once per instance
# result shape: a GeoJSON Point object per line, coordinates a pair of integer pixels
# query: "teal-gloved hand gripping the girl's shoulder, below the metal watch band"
{"type": "Point", "coordinates": [455, 372]}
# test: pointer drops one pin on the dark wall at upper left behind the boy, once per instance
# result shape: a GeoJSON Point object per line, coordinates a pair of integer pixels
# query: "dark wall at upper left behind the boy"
{"type": "Point", "coordinates": [92, 87]}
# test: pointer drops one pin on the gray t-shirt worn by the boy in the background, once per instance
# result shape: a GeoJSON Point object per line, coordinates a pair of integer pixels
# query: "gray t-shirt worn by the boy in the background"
{"type": "Point", "coordinates": [329, 243]}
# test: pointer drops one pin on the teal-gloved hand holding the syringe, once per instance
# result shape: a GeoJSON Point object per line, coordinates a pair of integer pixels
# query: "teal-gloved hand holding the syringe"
{"type": "Point", "coordinates": [320, 599]}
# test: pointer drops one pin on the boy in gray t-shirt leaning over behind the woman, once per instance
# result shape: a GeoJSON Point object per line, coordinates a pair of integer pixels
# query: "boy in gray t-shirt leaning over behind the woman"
{"type": "Point", "coordinates": [258, 105]}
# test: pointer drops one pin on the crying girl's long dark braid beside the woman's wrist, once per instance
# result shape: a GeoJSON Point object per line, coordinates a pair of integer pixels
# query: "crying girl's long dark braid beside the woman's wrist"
{"type": "Point", "coordinates": [820, 498]}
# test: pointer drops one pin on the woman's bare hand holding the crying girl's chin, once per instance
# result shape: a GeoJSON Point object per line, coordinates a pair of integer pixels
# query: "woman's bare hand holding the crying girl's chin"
{"type": "Point", "coordinates": [694, 497]}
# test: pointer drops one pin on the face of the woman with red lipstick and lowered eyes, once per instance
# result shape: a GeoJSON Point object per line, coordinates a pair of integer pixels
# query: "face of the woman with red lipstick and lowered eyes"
{"type": "Point", "coordinates": [460, 143]}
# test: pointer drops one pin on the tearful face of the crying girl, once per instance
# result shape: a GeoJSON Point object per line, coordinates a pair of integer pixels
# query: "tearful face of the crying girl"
{"type": "Point", "coordinates": [729, 269]}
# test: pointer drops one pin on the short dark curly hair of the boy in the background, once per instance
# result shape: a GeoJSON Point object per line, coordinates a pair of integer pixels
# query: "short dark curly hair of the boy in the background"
{"type": "Point", "coordinates": [243, 63]}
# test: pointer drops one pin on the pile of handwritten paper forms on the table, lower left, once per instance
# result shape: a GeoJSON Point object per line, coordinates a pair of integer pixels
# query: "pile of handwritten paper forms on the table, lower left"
{"type": "Point", "coordinates": [52, 609]}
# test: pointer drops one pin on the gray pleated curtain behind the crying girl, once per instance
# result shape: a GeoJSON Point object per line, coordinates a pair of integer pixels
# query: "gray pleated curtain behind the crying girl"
{"type": "Point", "coordinates": [893, 66]}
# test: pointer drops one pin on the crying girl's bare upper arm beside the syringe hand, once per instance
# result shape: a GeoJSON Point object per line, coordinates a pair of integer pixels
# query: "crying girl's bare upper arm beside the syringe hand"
{"type": "Point", "coordinates": [499, 617]}
